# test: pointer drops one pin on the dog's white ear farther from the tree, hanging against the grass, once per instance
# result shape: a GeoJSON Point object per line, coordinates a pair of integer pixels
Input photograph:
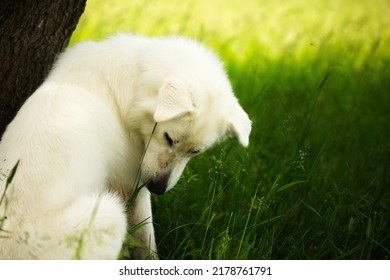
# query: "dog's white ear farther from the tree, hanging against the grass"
{"type": "Point", "coordinates": [240, 125]}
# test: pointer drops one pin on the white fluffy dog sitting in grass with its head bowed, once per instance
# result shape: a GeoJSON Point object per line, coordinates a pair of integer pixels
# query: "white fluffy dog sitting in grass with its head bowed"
{"type": "Point", "coordinates": [111, 117]}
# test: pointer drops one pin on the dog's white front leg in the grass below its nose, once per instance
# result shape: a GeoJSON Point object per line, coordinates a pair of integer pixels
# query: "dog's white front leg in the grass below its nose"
{"type": "Point", "coordinates": [141, 227]}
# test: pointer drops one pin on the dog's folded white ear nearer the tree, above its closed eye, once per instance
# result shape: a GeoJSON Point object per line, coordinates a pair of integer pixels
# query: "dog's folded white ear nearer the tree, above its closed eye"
{"type": "Point", "coordinates": [174, 100]}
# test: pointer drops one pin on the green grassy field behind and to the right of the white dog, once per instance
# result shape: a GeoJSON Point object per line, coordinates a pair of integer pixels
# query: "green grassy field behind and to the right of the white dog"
{"type": "Point", "coordinates": [314, 77]}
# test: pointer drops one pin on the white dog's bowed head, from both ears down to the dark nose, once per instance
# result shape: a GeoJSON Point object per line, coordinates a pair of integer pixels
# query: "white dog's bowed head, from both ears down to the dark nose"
{"type": "Point", "coordinates": [190, 118]}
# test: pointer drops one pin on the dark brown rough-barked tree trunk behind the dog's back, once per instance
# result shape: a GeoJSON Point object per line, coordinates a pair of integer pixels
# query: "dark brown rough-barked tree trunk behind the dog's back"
{"type": "Point", "coordinates": [32, 33]}
